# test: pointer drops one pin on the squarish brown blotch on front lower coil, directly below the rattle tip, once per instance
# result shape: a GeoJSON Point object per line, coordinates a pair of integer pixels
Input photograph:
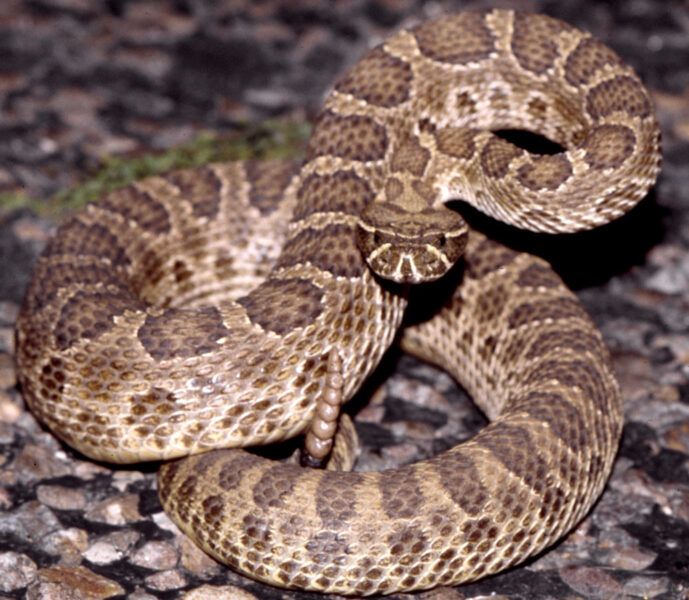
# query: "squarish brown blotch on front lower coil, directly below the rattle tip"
{"type": "Point", "coordinates": [336, 499]}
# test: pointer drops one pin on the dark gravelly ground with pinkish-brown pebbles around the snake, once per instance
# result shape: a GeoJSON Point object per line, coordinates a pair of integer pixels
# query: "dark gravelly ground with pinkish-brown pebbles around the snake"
{"type": "Point", "coordinates": [80, 80]}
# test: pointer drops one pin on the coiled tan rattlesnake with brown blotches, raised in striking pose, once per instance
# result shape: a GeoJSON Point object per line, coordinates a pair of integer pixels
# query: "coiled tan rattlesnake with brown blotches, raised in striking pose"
{"type": "Point", "coordinates": [198, 310]}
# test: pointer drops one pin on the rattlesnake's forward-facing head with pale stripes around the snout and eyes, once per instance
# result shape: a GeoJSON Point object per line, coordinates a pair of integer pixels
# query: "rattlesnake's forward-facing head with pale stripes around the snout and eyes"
{"type": "Point", "coordinates": [411, 247]}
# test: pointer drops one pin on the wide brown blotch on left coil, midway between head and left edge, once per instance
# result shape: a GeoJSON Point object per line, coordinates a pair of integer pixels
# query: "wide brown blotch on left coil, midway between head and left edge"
{"type": "Point", "coordinates": [181, 333]}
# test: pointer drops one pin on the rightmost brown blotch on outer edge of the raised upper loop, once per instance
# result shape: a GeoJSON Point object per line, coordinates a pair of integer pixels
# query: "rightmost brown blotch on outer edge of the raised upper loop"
{"type": "Point", "coordinates": [623, 93]}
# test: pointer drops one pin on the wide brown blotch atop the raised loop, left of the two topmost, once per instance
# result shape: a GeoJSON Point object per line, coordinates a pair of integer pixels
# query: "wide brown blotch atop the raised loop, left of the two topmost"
{"type": "Point", "coordinates": [458, 39]}
